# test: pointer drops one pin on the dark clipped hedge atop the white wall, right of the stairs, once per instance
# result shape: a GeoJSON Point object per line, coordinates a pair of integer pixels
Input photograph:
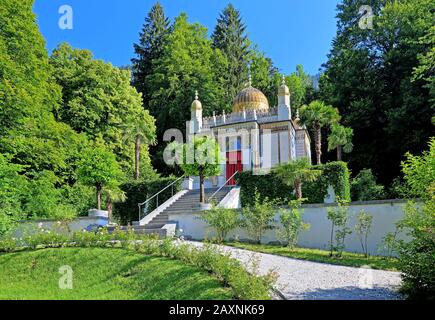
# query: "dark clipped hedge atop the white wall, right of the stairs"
{"type": "Point", "coordinates": [335, 174]}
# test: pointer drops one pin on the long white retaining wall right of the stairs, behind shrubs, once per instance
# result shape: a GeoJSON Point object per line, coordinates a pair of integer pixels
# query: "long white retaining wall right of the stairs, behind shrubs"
{"type": "Point", "coordinates": [386, 214]}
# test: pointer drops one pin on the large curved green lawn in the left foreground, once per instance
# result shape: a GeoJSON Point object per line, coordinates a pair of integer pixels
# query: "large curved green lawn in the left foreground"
{"type": "Point", "coordinates": [98, 273]}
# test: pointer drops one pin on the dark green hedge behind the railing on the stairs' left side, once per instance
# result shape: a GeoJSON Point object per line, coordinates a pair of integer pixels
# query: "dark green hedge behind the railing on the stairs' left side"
{"type": "Point", "coordinates": [139, 191]}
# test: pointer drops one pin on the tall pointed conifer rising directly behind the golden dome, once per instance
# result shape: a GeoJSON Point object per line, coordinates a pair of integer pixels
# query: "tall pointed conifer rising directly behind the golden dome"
{"type": "Point", "coordinates": [230, 37]}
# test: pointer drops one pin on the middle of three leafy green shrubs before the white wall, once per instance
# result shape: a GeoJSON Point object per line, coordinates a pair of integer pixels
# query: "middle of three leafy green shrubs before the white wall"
{"type": "Point", "coordinates": [259, 217]}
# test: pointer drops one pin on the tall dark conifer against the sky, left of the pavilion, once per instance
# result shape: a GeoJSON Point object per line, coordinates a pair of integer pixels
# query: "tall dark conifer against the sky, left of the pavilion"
{"type": "Point", "coordinates": [149, 48]}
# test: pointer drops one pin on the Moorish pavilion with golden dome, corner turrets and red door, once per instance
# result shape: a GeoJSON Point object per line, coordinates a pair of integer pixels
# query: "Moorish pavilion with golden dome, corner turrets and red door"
{"type": "Point", "coordinates": [254, 136]}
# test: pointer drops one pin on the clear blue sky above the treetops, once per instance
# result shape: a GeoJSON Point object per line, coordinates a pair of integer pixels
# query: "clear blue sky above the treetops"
{"type": "Point", "coordinates": [290, 32]}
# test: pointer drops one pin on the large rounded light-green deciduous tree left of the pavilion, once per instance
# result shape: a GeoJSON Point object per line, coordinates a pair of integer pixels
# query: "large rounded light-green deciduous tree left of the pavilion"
{"type": "Point", "coordinates": [99, 101]}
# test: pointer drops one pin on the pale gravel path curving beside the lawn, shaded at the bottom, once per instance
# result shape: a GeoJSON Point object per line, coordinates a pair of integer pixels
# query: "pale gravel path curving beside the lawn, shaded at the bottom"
{"type": "Point", "coordinates": [306, 280]}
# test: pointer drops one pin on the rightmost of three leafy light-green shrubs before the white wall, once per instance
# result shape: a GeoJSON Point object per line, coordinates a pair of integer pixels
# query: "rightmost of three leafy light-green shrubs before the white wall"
{"type": "Point", "coordinates": [292, 224]}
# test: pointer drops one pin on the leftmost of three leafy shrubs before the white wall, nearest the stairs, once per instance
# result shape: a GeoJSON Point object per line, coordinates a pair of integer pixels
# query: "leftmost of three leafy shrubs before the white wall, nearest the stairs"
{"type": "Point", "coordinates": [221, 220]}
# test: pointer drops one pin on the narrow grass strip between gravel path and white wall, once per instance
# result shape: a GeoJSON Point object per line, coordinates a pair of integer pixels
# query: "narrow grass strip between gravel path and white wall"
{"type": "Point", "coordinates": [348, 258]}
